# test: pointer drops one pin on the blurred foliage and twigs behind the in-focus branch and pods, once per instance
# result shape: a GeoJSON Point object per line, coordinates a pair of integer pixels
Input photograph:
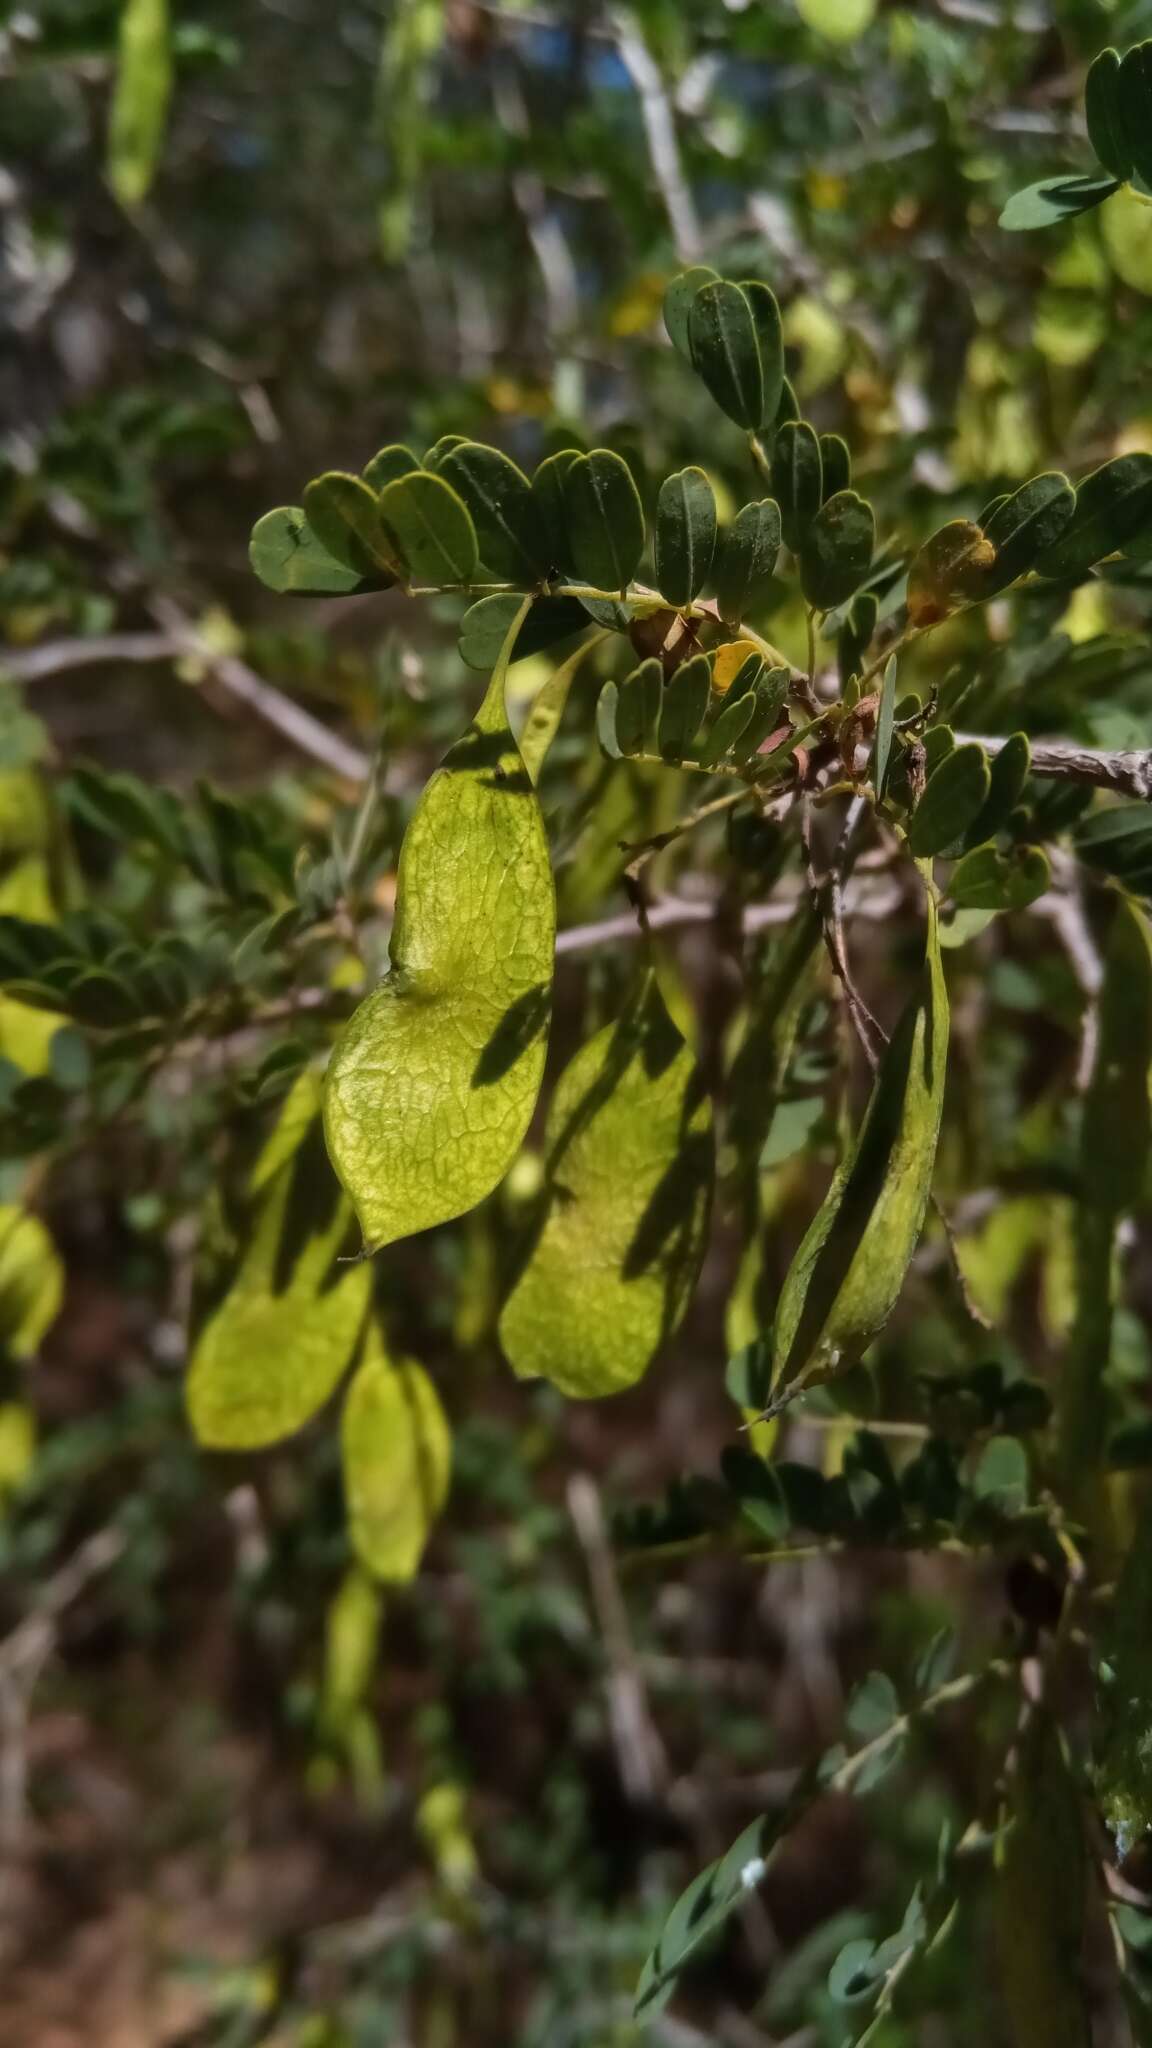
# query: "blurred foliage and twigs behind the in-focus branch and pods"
{"type": "Point", "coordinates": [245, 1797]}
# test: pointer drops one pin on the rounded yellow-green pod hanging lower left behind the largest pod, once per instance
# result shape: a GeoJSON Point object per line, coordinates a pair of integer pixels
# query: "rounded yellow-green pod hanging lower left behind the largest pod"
{"type": "Point", "coordinates": [290, 1324]}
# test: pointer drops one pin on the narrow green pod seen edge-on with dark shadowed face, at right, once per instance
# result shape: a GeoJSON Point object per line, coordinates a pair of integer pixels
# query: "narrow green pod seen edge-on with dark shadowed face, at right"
{"type": "Point", "coordinates": [846, 1279]}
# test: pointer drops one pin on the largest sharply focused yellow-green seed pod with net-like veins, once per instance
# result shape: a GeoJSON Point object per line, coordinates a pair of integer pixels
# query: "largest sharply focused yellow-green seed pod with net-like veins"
{"type": "Point", "coordinates": [434, 1084]}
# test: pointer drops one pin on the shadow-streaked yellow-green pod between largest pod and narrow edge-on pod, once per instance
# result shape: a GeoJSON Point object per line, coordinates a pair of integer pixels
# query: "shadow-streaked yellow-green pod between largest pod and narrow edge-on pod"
{"type": "Point", "coordinates": [628, 1193]}
